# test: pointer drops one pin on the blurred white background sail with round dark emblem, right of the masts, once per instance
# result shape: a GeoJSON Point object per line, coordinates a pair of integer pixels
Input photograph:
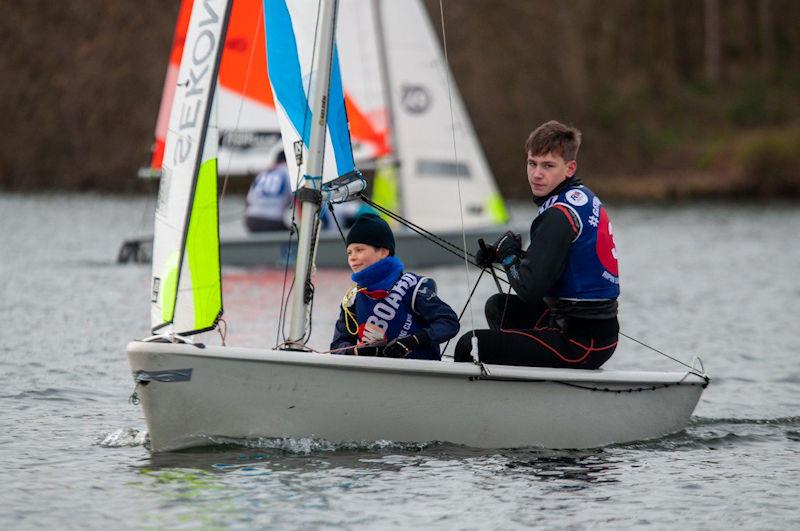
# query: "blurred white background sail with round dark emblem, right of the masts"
{"type": "Point", "coordinates": [423, 128]}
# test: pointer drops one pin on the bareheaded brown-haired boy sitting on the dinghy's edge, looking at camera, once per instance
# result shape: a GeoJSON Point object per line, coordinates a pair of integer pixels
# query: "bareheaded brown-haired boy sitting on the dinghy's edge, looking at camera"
{"type": "Point", "coordinates": [567, 282]}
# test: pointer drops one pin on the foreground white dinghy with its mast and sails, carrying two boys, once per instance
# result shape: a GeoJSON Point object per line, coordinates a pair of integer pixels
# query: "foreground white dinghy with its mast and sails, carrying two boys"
{"type": "Point", "coordinates": [195, 395]}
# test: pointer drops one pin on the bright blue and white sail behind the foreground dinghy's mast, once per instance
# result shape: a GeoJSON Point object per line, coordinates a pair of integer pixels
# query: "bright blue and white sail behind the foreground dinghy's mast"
{"type": "Point", "coordinates": [290, 33]}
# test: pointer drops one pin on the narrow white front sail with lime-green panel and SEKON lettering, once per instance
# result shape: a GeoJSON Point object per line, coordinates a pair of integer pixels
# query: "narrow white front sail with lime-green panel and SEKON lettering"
{"type": "Point", "coordinates": [186, 280]}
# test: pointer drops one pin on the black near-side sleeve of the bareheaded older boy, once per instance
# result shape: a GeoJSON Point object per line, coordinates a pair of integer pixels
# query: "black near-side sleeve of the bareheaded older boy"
{"type": "Point", "coordinates": [544, 260]}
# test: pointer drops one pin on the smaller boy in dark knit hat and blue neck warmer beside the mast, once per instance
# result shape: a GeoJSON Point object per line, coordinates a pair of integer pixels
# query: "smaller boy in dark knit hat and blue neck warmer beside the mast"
{"type": "Point", "coordinates": [389, 313]}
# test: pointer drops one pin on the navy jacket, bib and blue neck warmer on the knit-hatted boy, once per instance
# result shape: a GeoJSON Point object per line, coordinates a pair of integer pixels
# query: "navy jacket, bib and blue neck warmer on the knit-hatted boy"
{"type": "Point", "coordinates": [398, 305]}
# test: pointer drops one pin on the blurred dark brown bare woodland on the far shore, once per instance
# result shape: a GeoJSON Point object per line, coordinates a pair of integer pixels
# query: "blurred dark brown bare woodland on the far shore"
{"type": "Point", "coordinates": [82, 79]}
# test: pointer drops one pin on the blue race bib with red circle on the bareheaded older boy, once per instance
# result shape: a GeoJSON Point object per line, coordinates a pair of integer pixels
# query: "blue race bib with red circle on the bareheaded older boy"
{"type": "Point", "coordinates": [592, 270]}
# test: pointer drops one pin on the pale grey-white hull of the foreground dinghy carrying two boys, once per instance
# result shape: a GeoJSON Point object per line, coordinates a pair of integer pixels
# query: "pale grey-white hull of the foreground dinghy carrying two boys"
{"type": "Point", "coordinates": [239, 393]}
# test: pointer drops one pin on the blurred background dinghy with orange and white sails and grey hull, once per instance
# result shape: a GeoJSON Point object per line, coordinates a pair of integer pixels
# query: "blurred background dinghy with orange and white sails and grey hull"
{"type": "Point", "coordinates": [399, 108]}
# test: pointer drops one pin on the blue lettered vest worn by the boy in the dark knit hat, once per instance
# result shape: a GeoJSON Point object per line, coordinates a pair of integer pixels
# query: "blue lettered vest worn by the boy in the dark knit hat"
{"type": "Point", "coordinates": [393, 316]}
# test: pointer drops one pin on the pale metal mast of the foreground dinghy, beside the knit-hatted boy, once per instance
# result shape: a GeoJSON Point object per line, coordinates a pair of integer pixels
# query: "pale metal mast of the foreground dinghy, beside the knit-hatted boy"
{"type": "Point", "coordinates": [310, 192]}
